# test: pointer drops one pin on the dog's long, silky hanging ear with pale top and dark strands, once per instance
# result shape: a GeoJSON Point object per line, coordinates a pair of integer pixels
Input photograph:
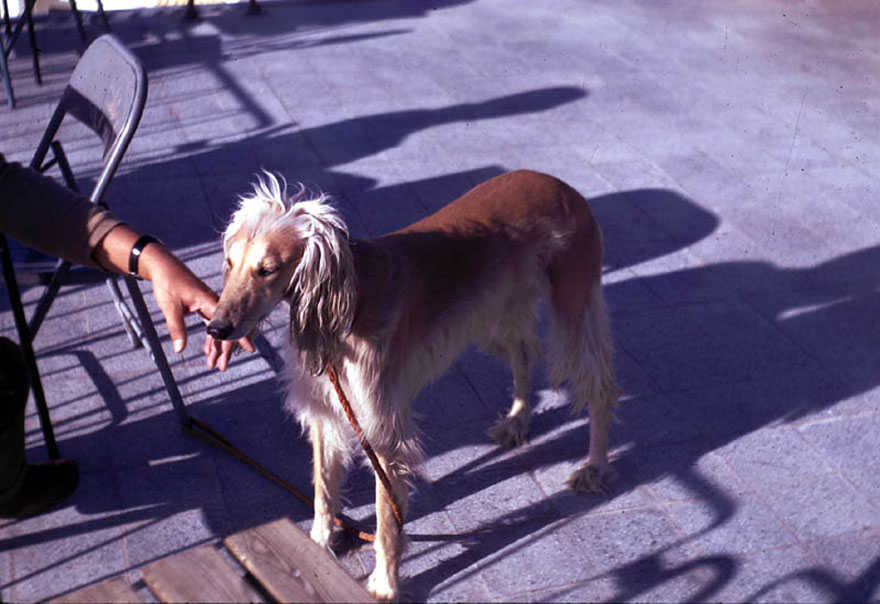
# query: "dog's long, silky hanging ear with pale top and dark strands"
{"type": "Point", "coordinates": [323, 288]}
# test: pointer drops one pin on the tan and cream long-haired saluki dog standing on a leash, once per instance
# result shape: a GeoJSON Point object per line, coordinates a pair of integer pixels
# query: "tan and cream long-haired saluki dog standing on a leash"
{"type": "Point", "coordinates": [392, 313]}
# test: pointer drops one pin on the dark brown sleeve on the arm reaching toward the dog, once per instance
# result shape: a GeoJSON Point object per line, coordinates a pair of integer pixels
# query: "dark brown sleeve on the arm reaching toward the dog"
{"type": "Point", "coordinates": [42, 214]}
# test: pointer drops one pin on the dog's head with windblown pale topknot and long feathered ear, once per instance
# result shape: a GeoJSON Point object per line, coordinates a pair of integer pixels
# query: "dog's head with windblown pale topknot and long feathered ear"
{"type": "Point", "coordinates": [295, 248]}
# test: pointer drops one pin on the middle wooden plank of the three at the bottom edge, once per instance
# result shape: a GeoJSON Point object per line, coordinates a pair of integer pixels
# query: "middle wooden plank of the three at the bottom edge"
{"type": "Point", "coordinates": [198, 575]}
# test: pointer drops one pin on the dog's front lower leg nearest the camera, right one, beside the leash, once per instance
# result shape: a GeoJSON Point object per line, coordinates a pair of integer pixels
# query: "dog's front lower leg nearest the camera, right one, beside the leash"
{"type": "Point", "coordinates": [383, 581]}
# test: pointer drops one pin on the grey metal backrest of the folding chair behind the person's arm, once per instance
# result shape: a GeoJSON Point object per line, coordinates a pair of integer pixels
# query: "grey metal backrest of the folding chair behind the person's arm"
{"type": "Point", "coordinates": [107, 93]}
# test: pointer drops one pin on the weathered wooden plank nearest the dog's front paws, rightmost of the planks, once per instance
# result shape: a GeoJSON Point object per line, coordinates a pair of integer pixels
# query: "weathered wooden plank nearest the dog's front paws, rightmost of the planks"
{"type": "Point", "coordinates": [292, 567]}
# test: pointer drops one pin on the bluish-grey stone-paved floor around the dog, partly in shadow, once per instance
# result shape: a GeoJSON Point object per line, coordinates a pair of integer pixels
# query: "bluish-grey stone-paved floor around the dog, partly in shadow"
{"type": "Point", "coordinates": [732, 156]}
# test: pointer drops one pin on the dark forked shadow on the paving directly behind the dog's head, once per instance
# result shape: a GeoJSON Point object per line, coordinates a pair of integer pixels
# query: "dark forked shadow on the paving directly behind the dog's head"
{"type": "Point", "coordinates": [312, 153]}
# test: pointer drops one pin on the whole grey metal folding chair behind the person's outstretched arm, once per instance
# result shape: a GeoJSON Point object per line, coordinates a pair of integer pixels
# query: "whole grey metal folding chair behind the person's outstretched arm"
{"type": "Point", "coordinates": [107, 92]}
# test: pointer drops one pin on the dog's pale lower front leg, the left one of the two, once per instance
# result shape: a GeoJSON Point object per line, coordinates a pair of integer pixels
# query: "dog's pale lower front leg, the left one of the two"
{"type": "Point", "coordinates": [328, 473]}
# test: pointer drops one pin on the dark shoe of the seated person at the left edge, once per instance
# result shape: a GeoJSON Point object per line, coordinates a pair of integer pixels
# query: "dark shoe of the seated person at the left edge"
{"type": "Point", "coordinates": [38, 488]}
